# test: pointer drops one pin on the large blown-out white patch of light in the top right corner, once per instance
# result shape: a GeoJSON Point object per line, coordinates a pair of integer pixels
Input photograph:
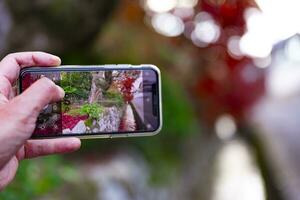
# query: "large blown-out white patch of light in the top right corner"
{"type": "Point", "coordinates": [274, 22]}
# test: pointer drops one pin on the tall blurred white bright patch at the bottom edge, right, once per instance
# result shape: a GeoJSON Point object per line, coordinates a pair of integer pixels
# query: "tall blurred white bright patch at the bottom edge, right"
{"type": "Point", "coordinates": [238, 178]}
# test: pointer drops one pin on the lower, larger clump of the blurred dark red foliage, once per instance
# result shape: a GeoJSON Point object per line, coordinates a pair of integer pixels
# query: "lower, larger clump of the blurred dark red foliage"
{"type": "Point", "coordinates": [234, 94]}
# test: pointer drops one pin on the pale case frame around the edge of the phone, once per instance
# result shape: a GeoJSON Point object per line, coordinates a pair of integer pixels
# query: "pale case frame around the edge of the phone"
{"type": "Point", "coordinates": [86, 68]}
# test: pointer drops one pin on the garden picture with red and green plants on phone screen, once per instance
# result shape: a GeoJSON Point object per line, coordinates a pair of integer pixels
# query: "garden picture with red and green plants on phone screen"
{"type": "Point", "coordinates": [95, 102]}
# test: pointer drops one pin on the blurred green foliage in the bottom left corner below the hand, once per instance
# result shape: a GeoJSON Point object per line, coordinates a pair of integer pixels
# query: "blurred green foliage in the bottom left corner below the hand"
{"type": "Point", "coordinates": [35, 178]}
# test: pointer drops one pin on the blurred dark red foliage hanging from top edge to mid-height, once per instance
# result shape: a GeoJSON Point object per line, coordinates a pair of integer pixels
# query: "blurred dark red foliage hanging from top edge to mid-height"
{"type": "Point", "coordinates": [240, 84]}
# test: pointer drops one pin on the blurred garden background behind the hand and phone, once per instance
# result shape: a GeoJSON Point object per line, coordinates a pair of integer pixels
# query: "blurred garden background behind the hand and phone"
{"type": "Point", "coordinates": [231, 79]}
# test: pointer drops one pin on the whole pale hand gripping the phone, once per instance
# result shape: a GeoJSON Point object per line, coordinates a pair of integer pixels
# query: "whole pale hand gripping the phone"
{"type": "Point", "coordinates": [18, 114]}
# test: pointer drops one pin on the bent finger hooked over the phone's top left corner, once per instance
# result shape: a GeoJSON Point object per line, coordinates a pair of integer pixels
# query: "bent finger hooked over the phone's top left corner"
{"type": "Point", "coordinates": [11, 64]}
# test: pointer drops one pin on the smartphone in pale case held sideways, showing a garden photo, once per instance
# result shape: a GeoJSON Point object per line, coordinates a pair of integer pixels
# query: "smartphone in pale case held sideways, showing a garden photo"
{"type": "Point", "coordinates": [100, 101]}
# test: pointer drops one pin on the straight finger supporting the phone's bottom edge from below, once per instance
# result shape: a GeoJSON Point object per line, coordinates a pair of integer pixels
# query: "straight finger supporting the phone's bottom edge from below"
{"type": "Point", "coordinates": [36, 148]}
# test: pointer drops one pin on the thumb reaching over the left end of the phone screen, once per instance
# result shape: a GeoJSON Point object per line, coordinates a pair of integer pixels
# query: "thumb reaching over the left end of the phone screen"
{"type": "Point", "coordinates": [36, 97]}
